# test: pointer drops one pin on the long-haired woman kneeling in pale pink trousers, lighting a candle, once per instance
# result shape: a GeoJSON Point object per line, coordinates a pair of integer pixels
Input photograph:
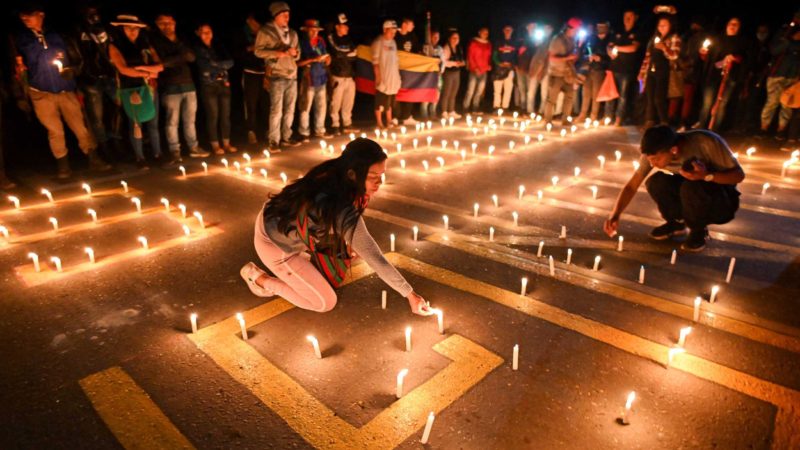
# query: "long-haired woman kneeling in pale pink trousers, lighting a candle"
{"type": "Point", "coordinates": [321, 213]}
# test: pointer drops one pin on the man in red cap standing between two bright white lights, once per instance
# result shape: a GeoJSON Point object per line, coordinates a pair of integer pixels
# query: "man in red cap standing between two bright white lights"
{"type": "Point", "coordinates": [562, 54]}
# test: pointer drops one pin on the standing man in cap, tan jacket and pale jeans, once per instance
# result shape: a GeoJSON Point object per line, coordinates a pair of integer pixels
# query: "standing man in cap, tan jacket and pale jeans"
{"type": "Point", "coordinates": [279, 45]}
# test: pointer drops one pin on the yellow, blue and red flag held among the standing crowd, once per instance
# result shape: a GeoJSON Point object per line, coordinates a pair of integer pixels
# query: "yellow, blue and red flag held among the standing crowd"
{"type": "Point", "coordinates": [419, 76]}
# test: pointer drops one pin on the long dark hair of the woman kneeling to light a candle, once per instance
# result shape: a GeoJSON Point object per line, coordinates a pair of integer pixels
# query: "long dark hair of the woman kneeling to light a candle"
{"type": "Point", "coordinates": [333, 193]}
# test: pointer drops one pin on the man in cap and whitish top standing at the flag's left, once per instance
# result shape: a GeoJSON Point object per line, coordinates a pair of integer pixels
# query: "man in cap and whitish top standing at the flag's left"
{"type": "Point", "coordinates": [386, 67]}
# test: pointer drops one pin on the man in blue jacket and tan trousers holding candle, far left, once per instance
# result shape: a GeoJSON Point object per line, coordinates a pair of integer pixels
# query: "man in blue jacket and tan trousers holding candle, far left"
{"type": "Point", "coordinates": [44, 58]}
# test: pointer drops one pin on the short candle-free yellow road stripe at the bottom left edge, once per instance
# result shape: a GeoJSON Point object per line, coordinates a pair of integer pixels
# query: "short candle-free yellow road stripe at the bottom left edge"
{"type": "Point", "coordinates": [134, 419]}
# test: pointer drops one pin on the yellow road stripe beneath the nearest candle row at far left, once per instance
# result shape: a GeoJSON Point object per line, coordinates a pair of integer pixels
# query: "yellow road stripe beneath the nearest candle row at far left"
{"type": "Point", "coordinates": [30, 277]}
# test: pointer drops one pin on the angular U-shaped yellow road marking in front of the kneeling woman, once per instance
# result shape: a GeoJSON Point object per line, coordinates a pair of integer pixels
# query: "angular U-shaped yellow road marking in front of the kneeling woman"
{"type": "Point", "coordinates": [317, 423]}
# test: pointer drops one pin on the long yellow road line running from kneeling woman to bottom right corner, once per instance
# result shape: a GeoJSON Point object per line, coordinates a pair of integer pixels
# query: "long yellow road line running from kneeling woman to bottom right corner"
{"type": "Point", "coordinates": [787, 424]}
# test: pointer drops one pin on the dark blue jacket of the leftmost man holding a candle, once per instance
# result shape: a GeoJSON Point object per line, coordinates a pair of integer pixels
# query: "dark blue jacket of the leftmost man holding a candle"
{"type": "Point", "coordinates": [39, 52]}
